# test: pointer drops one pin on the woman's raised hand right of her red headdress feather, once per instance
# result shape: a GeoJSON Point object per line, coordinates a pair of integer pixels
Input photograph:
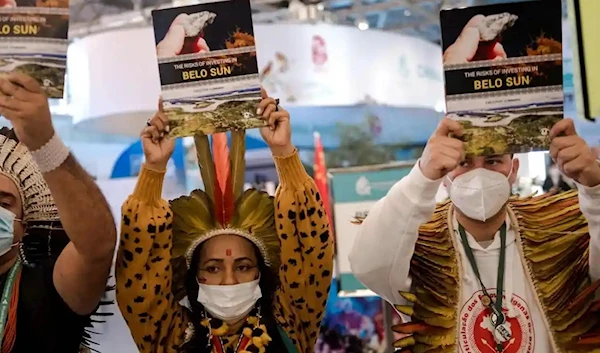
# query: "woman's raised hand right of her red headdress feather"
{"type": "Point", "coordinates": [278, 133]}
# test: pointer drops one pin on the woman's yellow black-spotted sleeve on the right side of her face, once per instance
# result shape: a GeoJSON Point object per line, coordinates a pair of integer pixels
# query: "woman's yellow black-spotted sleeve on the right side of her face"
{"type": "Point", "coordinates": [306, 254]}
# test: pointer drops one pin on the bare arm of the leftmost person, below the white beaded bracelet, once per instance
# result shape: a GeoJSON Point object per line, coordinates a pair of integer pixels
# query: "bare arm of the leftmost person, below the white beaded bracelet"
{"type": "Point", "coordinates": [83, 267]}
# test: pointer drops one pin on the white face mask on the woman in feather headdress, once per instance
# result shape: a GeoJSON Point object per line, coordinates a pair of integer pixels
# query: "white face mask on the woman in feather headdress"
{"type": "Point", "coordinates": [229, 303]}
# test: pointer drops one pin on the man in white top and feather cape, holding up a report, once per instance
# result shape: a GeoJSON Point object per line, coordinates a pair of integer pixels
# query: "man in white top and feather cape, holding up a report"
{"type": "Point", "coordinates": [486, 272]}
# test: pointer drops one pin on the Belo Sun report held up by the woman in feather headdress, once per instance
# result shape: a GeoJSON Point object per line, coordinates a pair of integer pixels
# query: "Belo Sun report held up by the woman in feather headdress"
{"type": "Point", "coordinates": [208, 68]}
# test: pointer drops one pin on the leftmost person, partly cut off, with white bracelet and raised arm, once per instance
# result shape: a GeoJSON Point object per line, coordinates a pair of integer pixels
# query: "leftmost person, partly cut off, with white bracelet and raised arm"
{"type": "Point", "coordinates": [55, 254]}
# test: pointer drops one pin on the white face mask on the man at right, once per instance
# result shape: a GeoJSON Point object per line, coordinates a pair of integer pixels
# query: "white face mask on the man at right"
{"type": "Point", "coordinates": [480, 193]}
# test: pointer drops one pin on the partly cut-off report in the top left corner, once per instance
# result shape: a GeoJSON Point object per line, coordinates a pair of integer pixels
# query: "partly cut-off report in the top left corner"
{"type": "Point", "coordinates": [33, 40]}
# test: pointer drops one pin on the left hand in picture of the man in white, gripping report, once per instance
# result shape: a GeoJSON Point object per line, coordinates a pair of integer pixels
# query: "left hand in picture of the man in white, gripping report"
{"type": "Point", "coordinates": [442, 153]}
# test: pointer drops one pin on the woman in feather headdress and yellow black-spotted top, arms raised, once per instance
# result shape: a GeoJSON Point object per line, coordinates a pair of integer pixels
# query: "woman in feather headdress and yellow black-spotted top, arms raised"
{"type": "Point", "coordinates": [223, 269]}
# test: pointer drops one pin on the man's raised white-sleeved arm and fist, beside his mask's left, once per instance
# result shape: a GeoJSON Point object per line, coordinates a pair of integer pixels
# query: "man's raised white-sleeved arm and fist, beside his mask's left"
{"type": "Point", "coordinates": [381, 255]}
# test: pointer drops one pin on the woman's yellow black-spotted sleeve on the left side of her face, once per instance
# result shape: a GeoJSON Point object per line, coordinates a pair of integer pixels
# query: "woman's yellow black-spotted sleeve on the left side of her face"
{"type": "Point", "coordinates": [143, 270]}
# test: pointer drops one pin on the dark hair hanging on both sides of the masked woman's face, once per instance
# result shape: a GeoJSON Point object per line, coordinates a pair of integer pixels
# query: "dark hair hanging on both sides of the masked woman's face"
{"type": "Point", "coordinates": [268, 284]}
